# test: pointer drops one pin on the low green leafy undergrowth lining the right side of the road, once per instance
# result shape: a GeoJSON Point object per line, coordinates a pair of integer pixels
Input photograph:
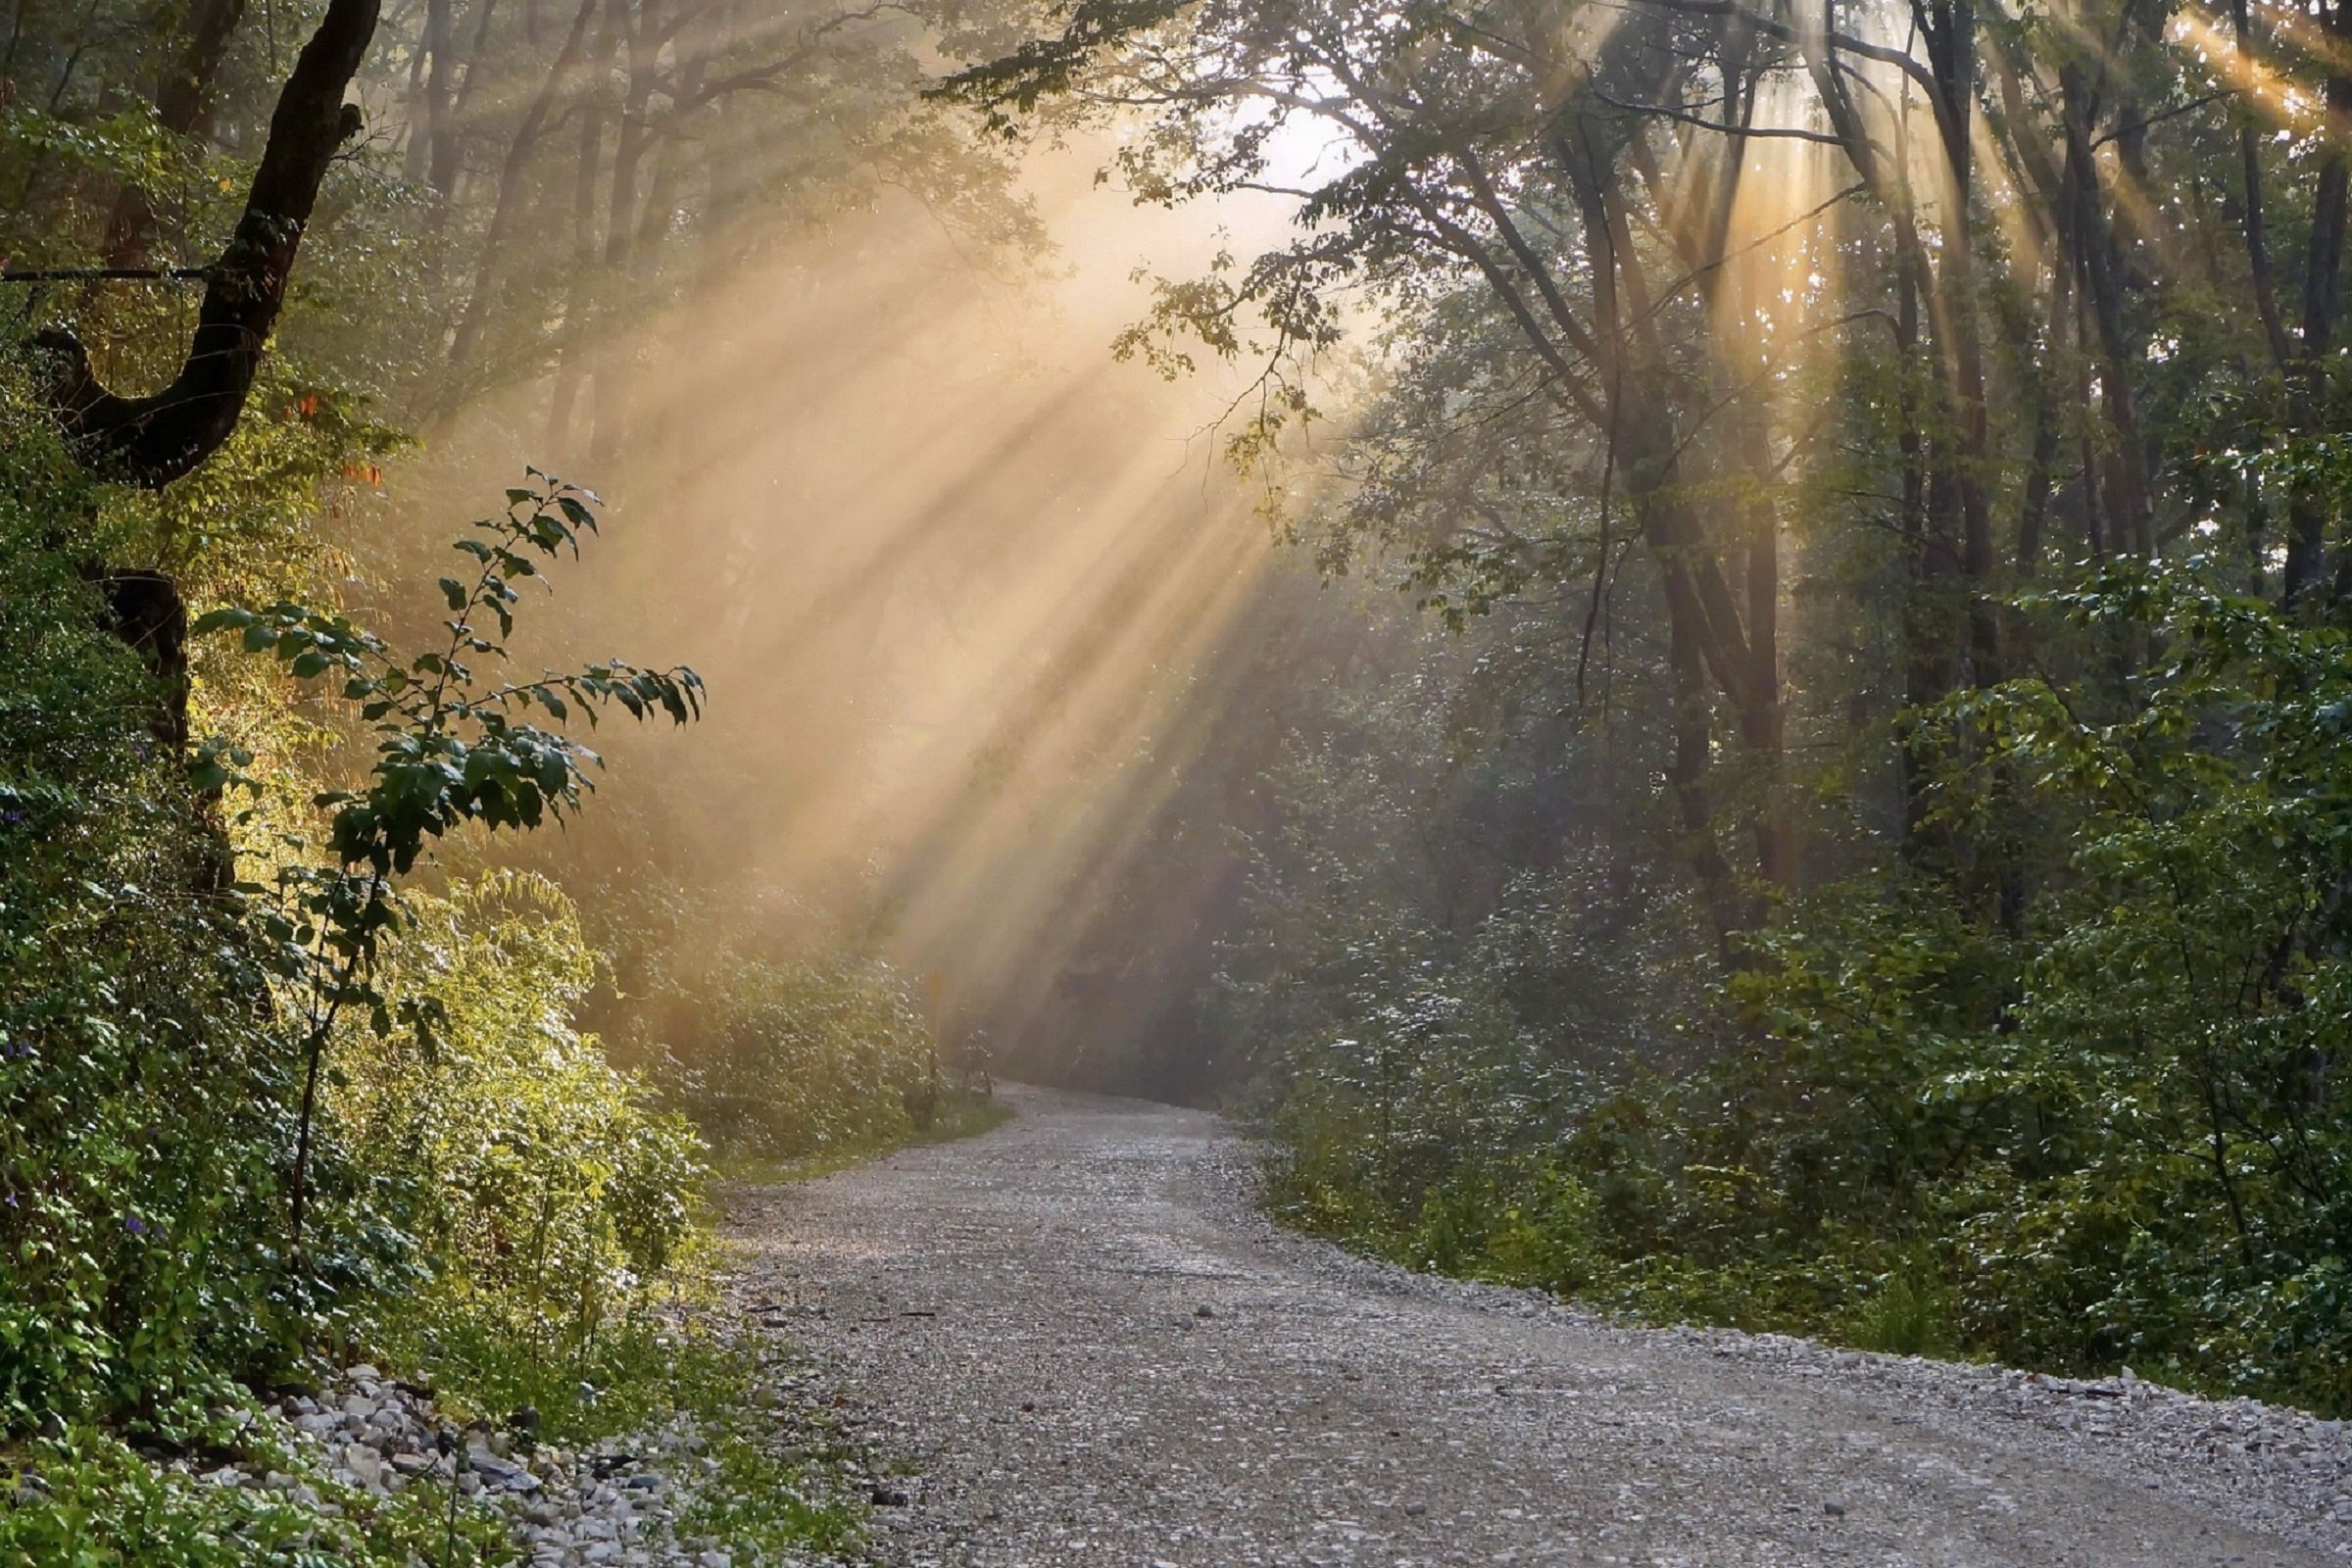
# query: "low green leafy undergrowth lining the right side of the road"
{"type": "Point", "coordinates": [2092, 1141]}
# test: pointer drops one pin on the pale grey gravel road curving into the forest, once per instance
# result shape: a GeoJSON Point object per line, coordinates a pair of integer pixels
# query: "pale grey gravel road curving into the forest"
{"type": "Point", "coordinates": [1097, 1353]}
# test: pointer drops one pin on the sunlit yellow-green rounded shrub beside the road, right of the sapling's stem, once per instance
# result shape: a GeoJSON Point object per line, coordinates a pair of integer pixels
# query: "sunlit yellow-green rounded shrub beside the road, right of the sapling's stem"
{"type": "Point", "coordinates": [542, 1184]}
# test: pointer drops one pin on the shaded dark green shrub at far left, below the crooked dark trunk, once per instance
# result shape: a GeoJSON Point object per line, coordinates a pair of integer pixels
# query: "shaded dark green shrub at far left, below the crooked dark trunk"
{"type": "Point", "coordinates": [142, 1080]}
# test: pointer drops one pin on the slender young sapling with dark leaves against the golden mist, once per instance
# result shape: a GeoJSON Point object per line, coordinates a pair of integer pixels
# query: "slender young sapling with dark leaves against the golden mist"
{"type": "Point", "coordinates": [455, 744]}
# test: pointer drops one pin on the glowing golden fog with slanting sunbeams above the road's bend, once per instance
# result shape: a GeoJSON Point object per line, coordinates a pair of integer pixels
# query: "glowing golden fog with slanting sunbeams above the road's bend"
{"type": "Point", "coordinates": [965, 587]}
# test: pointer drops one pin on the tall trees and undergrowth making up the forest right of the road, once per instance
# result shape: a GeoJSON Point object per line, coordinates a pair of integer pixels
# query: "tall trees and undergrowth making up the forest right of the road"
{"type": "Point", "coordinates": [1812, 786]}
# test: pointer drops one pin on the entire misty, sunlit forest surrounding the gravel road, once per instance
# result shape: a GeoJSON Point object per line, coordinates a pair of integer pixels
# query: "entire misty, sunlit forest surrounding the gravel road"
{"type": "Point", "coordinates": [1784, 763]}
